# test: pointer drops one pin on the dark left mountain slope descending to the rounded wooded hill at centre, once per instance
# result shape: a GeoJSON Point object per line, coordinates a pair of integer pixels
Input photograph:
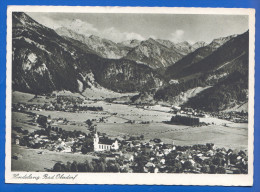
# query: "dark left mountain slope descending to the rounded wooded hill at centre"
{"type": "Point", "coordinates": [43, 61]}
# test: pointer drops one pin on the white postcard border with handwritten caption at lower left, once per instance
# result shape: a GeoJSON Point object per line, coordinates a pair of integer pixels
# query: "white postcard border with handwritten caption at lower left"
{"type": "Point", "coordinates": [135, 178]}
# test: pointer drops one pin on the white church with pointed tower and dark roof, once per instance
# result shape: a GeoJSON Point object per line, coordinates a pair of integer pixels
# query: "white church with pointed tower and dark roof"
{"type": "Point", "coordinates": [104, 144]}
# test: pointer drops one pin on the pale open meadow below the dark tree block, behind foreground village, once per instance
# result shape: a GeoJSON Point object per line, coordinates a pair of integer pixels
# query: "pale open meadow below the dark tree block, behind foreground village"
{"type": "Point", "coordinates": [228, 137]}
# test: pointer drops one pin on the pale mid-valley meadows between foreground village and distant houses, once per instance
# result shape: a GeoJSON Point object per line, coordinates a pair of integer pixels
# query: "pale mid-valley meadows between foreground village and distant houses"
{"type": "Point", "coordinates": [222, 133]}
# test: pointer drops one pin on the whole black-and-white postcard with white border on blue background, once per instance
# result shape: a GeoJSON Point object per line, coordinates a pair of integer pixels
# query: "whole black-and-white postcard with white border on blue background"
{"type": "Point", "coordinates": [119, 93]}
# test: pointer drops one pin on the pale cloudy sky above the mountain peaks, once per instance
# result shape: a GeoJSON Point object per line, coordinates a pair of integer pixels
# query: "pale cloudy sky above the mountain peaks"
{"type": "Point", "coordinates": [120, 27]}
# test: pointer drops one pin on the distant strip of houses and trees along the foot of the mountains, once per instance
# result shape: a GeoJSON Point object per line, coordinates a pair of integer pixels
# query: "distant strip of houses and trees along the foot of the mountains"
{"type": "Point", "coordinates": [77, 104]}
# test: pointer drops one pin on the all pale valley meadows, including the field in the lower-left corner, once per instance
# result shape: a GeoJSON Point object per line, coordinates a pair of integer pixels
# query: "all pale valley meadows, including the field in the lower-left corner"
{"type": "Point", "coordinates": [123, 120]}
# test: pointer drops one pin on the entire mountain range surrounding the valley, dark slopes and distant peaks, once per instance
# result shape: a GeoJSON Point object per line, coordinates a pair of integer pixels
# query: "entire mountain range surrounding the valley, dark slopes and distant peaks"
{"type": "Point", "coordinates": [46, 60]}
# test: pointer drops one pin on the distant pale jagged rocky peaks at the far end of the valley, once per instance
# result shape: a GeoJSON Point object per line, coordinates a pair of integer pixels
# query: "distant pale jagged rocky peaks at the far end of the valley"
{"type": "Point", "coordinates": [154, 53]}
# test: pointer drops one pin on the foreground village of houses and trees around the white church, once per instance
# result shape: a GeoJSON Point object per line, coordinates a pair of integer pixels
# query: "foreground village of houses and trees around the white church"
{"type": "Point", "coordinates": [130, 154]}
